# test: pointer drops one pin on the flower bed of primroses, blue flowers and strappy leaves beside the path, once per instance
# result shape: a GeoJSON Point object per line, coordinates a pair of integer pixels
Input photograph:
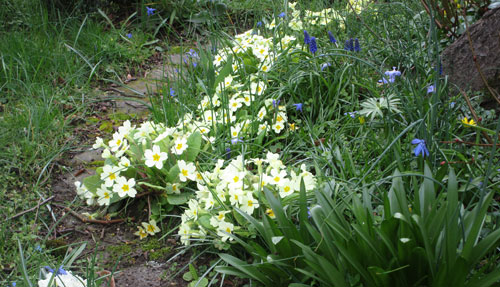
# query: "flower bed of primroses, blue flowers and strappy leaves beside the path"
{"type": "Point", "coordinates": [320, 147]}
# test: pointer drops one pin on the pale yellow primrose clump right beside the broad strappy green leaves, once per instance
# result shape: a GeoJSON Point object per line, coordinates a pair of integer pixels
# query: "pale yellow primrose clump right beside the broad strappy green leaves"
{"type": "Point", "coordinates": [212, 215]}
